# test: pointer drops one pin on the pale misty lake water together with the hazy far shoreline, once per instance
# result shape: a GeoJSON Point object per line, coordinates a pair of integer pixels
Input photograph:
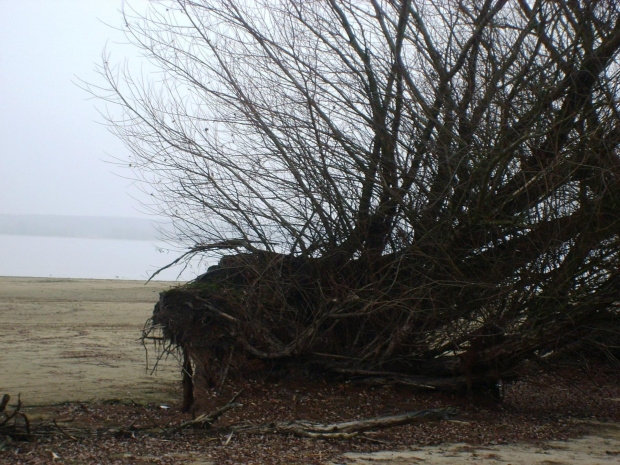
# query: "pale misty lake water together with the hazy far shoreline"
{"type": "Point", "coordinates": [87, 247]}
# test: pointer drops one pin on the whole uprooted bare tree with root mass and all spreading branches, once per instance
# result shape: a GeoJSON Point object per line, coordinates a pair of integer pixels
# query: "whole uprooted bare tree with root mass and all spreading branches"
{"type": "Point", "coordinates": [427, 190]}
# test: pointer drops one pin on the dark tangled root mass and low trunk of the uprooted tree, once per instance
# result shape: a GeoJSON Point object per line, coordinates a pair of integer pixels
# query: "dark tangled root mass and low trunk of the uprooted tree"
{"type": "Point", "coordinates": [292, 314]}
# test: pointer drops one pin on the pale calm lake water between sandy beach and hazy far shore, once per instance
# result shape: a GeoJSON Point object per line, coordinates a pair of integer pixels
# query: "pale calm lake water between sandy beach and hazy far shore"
{"type": "Point", "coordinates": [60, 257]}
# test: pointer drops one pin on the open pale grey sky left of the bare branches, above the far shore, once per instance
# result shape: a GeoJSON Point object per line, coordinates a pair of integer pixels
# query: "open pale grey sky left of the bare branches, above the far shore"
{"type": "Point", "coordinates": [54, 154]}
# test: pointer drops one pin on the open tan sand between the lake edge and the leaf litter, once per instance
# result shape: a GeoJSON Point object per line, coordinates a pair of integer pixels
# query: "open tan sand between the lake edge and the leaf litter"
{"type": "Point", "coordinates": [79, 340]}
